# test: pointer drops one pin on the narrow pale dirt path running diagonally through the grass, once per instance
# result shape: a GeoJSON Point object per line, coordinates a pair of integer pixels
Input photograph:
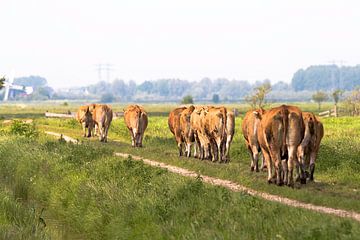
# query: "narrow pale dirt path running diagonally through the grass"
{"type": "Point", "coordinates": [234, 186]}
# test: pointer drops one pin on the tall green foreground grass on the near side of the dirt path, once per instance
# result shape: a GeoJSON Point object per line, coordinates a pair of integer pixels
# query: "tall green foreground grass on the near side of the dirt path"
{"type": "Point", "coordinates": [90, 194]}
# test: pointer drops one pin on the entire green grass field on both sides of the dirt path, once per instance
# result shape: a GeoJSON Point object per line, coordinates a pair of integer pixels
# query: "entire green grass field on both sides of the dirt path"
{"type": "Point", "coordinates": [88, 193]}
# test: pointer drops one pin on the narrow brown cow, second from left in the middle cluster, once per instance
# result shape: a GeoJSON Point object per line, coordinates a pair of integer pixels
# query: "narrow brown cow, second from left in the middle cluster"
{"type": "Point", "coordinates": [185, 128]}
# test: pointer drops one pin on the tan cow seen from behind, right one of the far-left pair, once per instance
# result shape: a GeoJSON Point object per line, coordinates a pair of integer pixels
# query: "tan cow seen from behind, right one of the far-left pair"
{"type": "Point", "coordinates": [102, 116]}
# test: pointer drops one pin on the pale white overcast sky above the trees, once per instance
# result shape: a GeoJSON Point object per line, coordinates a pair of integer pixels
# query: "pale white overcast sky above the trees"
{"type": "Point", "coordinates": [64, 41]}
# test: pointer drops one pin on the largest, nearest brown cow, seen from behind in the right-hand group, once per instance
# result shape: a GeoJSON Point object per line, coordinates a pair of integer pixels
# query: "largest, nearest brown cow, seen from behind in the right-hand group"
{"type": "Point", "coordinates": [280, 133]}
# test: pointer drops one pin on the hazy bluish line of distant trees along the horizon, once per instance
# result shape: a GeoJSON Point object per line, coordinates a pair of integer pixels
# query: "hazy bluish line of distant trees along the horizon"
{"type": "Point", "coordinates": [304, 83]}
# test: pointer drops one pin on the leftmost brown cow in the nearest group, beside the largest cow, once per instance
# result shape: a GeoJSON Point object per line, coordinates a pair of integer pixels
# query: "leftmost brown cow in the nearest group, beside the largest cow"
{"type": "Point", "coordinates": [249, 127]}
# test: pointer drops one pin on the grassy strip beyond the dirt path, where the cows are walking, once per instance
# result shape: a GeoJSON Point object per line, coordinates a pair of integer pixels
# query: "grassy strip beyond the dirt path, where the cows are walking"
{"type": "Point", "coordinates": [337, 170]}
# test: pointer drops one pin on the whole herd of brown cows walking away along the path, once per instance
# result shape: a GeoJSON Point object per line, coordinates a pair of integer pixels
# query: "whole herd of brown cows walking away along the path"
{"type": "Point", "coordinates": [287, 138]}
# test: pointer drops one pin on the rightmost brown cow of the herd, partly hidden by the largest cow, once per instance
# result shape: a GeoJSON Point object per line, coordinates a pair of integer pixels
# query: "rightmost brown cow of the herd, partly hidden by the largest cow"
{"type": "Point", "coordinates": [310, 145]}
